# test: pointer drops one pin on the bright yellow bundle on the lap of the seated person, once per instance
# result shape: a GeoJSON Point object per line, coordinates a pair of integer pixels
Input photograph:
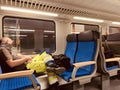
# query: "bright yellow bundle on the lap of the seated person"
{"type": "Point", "coordinates": [38, 63]}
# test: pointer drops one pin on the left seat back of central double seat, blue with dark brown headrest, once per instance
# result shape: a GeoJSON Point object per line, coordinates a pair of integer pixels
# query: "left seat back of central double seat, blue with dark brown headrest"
{"type": "Point", "coordinates": [71, 47]}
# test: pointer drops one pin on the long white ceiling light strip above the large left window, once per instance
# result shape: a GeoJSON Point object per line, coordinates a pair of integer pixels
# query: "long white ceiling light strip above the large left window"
{"type": "Point", "coordinates": [28, 11]}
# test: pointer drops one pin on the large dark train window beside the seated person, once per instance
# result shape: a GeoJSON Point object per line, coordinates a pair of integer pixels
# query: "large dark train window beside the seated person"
{"type": "Point", "coordinates": [30, 35]}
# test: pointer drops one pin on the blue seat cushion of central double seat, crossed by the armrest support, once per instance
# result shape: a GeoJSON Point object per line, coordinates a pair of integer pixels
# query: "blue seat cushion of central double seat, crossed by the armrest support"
{"type": "Point", "coordinates": [67, 74]}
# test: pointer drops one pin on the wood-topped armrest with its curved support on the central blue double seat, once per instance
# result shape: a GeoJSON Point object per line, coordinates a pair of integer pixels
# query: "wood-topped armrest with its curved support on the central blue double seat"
{"type": "Point", "coordinates": [81, 64]}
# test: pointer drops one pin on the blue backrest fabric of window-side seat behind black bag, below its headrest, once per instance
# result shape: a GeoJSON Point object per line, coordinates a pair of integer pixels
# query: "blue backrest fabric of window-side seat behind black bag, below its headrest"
{"type": "Point", "coordinates": [70, 50]}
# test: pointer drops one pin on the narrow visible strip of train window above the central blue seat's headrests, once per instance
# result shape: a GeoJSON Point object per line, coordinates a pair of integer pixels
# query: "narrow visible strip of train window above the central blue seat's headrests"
{"type": "Point", "coordinates": [79, 27]}
